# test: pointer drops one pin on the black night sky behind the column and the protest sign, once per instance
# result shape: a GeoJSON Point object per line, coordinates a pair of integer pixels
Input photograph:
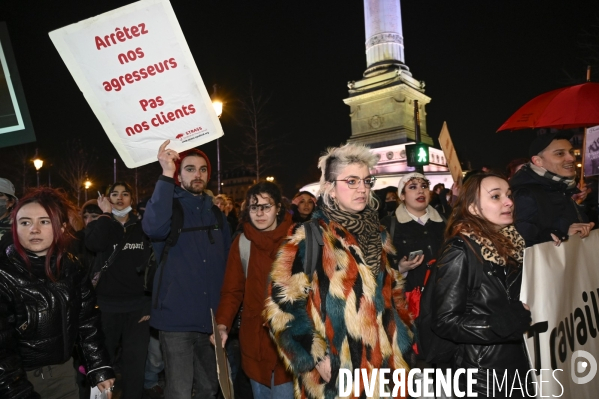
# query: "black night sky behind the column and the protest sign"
{"type": "Point", "coordinates": [481, 61]}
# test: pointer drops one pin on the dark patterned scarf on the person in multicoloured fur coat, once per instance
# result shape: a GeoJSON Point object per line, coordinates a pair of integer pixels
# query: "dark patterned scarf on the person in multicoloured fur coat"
{"type": "Point", "coordinates": [364, 226]}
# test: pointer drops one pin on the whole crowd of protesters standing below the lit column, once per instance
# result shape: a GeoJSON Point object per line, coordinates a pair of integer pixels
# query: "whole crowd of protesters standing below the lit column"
{"type": "Point", "coordinates": [298, 290]}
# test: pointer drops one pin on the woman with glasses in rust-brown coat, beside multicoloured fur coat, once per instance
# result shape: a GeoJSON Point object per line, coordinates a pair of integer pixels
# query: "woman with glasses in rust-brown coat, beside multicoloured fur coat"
{"type": "Point", "coordinates": [265, 224]}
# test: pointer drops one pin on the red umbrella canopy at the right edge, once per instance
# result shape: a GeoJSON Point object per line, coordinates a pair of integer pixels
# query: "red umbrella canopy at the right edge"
{"type": "Point", "coordinates": [566, 108]}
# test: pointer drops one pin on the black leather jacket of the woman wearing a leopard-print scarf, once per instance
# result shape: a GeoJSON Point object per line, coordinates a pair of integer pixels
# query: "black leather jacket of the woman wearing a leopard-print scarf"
{"type": "Point", "coordinates": [490, 335]}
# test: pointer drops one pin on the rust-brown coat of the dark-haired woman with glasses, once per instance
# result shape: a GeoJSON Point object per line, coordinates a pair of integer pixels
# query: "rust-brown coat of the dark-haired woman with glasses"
{"type": "Point", "coordinates": [258, 352]}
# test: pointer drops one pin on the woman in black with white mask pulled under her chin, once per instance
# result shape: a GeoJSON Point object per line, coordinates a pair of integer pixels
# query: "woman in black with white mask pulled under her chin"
{"type": "Point", "coordinates": [119, 242]}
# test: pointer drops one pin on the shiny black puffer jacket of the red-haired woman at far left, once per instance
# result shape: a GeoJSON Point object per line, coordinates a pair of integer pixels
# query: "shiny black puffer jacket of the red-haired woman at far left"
{"type": "Point", "coordinates": [49, 318]}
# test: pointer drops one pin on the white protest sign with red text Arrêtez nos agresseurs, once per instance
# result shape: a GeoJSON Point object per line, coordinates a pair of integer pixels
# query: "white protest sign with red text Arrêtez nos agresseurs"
{"type": "Point", "coordinates": [137, 73]}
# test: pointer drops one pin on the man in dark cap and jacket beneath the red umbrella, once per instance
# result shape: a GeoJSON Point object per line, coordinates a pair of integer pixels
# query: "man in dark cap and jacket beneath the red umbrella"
{"type": "Point", "coordinates": [543, 190]}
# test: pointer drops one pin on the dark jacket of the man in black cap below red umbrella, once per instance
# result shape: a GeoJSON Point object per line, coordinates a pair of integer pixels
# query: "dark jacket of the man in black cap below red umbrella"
{"type": "Point", "coordinates": [543, 206]}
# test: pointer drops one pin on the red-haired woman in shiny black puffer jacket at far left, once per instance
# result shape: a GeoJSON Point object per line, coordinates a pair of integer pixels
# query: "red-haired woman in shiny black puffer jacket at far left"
{"type": "Point", "coordinates": [50, 304]}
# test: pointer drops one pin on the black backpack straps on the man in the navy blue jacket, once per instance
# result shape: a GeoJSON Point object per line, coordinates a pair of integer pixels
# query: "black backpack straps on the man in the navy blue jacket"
{"type": "Point", "coordinates": [177, 219]}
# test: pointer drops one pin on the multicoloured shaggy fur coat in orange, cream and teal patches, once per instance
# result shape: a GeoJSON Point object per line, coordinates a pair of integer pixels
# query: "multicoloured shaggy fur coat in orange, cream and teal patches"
{"type": "Point", "coordinates": [360, 320]}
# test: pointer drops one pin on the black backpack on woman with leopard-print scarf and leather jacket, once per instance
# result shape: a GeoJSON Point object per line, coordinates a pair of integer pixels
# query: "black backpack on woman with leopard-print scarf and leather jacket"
{"type": "Point", "coordinates": [433, 348]}
